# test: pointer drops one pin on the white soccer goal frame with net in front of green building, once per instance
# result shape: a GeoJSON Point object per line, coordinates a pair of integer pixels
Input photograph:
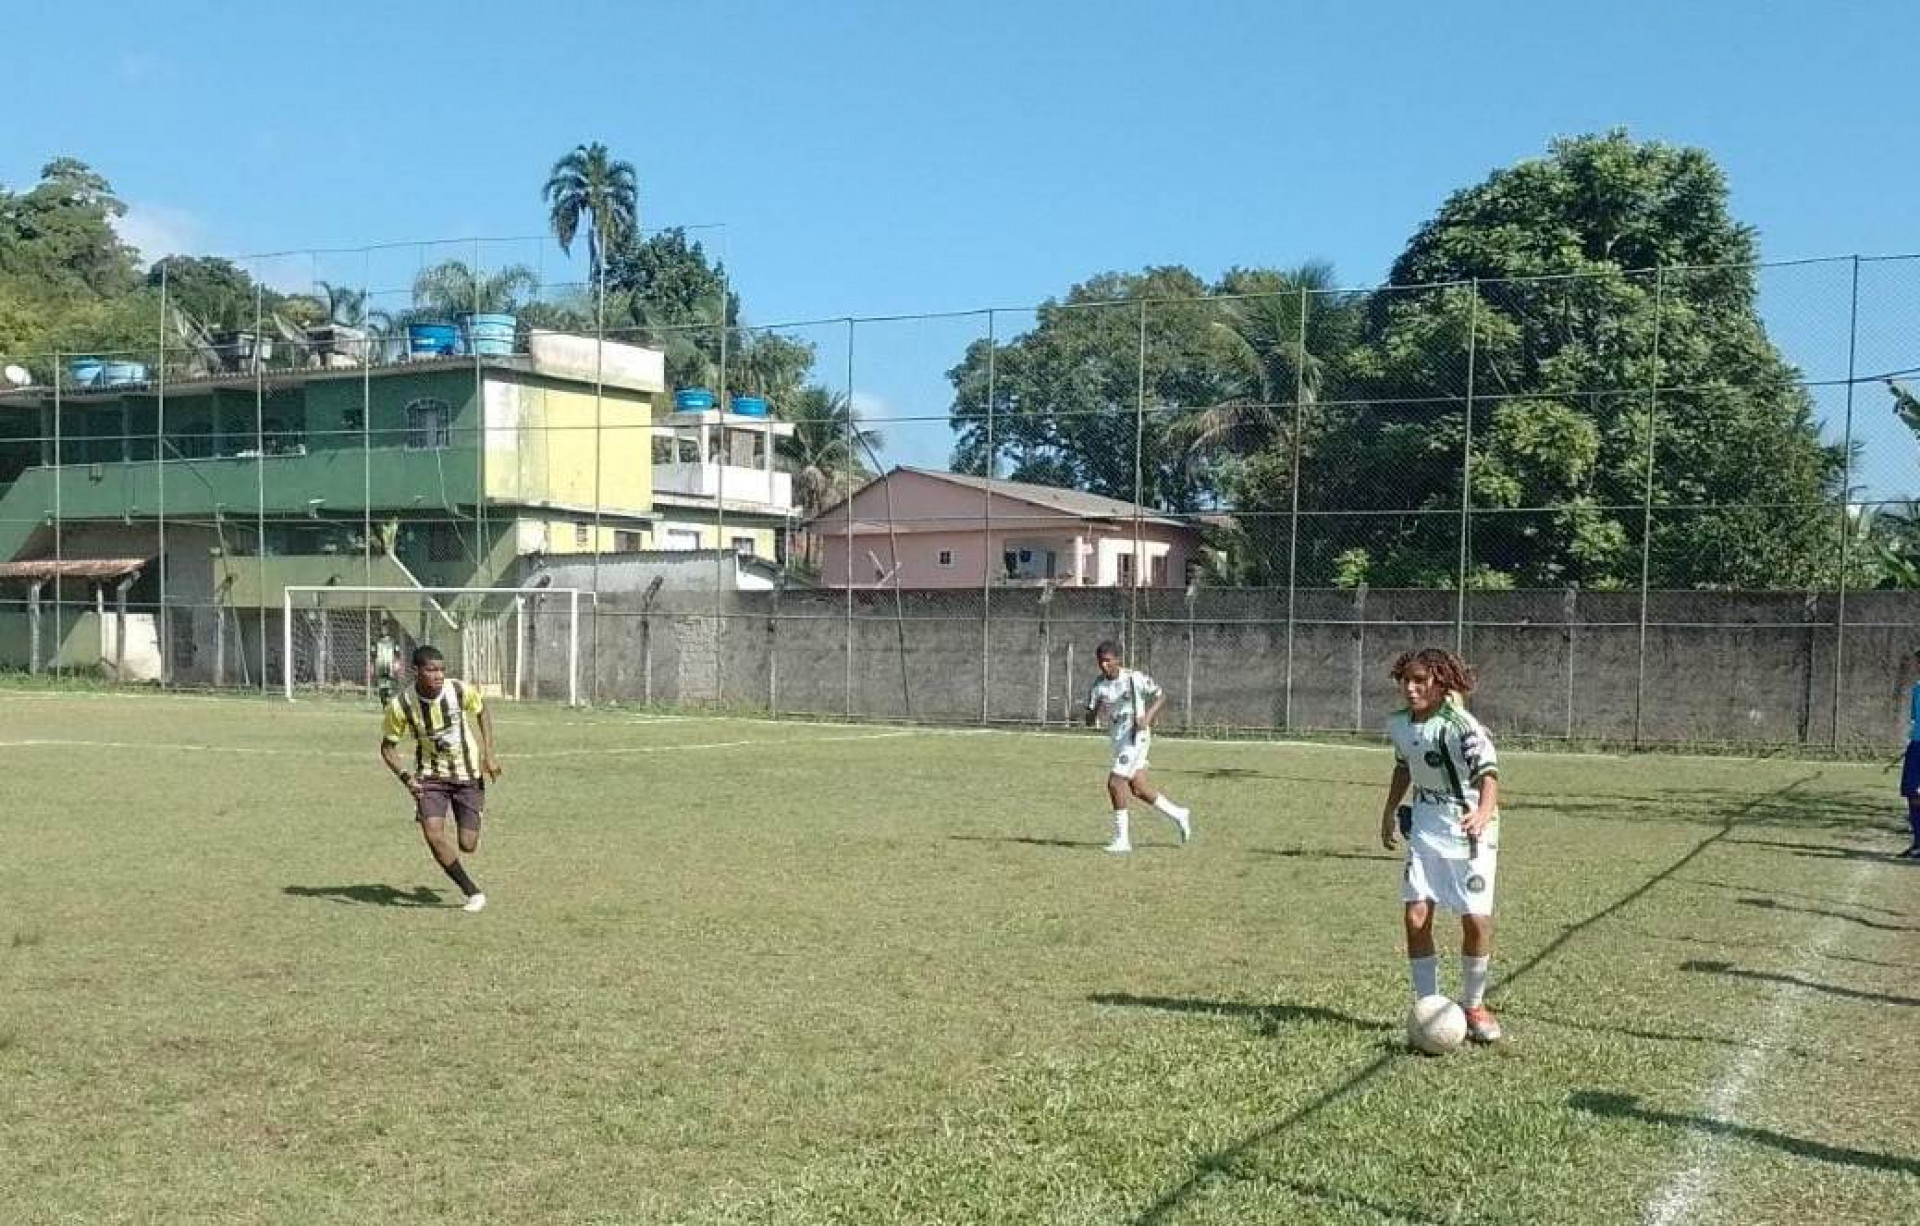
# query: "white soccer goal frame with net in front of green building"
{"type": "Point", "coordinates": [333, 634]}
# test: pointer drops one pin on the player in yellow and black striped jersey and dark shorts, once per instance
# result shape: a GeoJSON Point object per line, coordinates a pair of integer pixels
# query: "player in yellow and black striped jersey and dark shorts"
{"type": "Point", "coordinates": [452, 761]}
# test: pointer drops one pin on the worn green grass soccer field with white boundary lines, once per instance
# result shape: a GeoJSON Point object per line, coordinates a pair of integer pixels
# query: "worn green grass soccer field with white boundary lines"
{"type": "Point", "coordinates": [746, 972]}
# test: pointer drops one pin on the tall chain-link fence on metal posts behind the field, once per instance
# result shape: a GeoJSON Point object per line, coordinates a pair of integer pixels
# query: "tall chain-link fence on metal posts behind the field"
{"type": "Point", "coordinates": [1666, 506]}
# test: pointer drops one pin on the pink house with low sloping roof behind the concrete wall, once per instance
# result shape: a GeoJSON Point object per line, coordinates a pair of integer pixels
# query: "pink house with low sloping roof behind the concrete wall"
{"type": "Point", "coordinates": [923, 529]}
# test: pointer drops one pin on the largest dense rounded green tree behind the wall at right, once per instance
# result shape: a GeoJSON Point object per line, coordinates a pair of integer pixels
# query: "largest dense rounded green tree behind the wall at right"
{"type": "Point", "coordinates": [1539, 295]}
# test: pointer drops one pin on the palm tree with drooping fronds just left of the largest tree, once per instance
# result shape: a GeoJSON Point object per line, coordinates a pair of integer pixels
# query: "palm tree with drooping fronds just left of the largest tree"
{"type": "Point", "coordinates": [1268, 362]}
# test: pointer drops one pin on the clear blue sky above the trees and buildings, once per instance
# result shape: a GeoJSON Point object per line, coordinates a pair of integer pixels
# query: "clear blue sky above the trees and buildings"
{"type": "Point", "coordinates": [903, 158]}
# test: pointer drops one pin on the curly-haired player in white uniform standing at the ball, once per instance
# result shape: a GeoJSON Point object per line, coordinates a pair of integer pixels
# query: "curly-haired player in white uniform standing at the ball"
{"type": "Point", "coordinates": [1452, 828]}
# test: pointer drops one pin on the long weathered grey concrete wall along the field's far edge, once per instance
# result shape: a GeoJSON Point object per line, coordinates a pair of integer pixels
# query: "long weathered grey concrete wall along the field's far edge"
{"type": "Point", "coordinates": [1719, 667]}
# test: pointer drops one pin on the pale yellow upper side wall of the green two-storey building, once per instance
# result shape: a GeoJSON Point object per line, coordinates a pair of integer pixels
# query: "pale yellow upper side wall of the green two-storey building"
{"type": "Point", "coordinates": [542, 440]}
